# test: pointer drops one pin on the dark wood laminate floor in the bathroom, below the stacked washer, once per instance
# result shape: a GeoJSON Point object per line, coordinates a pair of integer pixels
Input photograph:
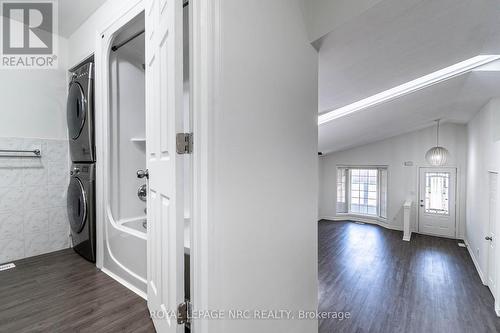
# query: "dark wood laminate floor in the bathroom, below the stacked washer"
{"type": "Point", "coordinates": [61, 292]}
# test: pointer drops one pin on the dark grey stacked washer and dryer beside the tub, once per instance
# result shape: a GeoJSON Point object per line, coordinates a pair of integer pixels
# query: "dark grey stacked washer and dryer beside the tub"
{"type": "Point", "coordinates": [81, 190]}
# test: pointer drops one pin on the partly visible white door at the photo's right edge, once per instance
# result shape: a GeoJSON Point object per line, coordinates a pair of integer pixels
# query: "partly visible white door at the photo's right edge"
{"type": "Point", "coordinates": [490, 237]}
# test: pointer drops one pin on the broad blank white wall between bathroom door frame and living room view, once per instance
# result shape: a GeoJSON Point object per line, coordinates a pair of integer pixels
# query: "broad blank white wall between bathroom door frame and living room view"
{"type": "Point", "coordinates": [263, 202]}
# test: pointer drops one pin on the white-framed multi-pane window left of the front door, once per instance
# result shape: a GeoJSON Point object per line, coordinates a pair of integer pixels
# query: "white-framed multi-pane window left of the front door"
{"type": "Point", "coordinates": [362, 191]}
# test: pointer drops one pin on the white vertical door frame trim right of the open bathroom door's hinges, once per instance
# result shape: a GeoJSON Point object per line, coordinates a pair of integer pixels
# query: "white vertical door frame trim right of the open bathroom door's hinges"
{"type": "Point", "coordinates": [205, 74]}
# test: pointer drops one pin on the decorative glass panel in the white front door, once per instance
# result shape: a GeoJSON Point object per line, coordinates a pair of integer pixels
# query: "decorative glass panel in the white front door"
{"type": "Point", "coordinates": [437, 193]}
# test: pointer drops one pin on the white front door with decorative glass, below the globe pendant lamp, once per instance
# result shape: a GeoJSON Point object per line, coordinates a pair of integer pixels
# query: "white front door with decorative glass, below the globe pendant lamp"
{"type": "Point", "coordinates": [437, 201]}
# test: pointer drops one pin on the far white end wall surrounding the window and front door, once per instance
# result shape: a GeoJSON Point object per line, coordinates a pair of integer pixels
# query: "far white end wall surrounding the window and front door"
{"type": "Point", "coordinates": [402, 181]}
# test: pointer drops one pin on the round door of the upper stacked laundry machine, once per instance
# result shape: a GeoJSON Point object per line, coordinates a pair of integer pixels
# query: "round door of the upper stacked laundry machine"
{"type": "Point", "coordinates": [77, 110]}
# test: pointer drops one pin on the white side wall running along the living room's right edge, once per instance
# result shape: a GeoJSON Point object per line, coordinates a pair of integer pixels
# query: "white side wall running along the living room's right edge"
{"type": "Point", "coordinates": [484, 156]}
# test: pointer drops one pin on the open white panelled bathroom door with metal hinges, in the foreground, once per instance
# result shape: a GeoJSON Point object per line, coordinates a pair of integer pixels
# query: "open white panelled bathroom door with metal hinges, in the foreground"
{"type": "Point", "coordinates": [164, 117]}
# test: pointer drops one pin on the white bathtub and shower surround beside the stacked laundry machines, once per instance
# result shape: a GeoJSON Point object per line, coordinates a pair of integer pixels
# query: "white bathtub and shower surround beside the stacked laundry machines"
{"type": "Point", "coordinates": [125, 222]}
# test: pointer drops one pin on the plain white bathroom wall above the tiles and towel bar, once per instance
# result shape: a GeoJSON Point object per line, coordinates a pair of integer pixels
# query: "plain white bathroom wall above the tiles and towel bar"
{"type": "Point", "coordinates": [34, 101]}
